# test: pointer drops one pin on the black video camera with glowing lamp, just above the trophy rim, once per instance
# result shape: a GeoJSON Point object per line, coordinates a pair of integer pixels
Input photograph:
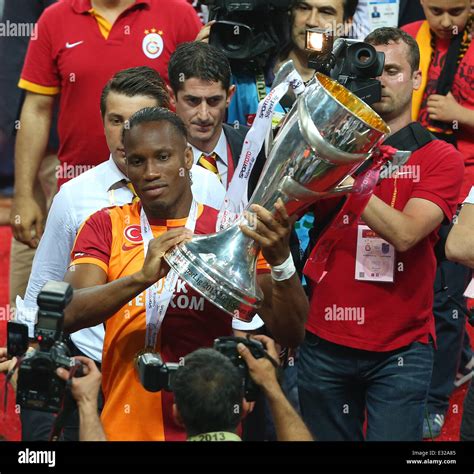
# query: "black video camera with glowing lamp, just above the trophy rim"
{"type": "Point", "coordinates": [352, 63]}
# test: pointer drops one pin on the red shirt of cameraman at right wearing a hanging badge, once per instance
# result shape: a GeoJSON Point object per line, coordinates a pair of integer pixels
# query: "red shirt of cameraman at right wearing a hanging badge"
{"type": "Point", "coordinates": [399, 313]}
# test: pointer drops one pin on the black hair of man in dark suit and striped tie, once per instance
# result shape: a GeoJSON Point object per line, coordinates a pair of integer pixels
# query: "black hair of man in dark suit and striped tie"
{"type": "Point", "coordinates": [198, 60]}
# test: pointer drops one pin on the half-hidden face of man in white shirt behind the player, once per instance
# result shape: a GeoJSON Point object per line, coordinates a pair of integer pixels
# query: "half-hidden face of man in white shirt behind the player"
{"type": "Point", "coordinates": [118, 109]}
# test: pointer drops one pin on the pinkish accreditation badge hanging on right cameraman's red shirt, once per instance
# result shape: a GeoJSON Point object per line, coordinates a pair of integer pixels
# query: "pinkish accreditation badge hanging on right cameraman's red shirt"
{"type": "Point", "coordinates": [375, 257]}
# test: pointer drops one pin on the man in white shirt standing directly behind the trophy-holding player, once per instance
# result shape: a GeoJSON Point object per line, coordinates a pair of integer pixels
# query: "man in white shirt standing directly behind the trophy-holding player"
{"type": "Point", "coordinates": [105, 185]}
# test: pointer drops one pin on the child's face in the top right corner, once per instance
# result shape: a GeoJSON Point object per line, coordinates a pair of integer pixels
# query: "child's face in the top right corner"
{"type": "Point", "coordinates": [446, 17]}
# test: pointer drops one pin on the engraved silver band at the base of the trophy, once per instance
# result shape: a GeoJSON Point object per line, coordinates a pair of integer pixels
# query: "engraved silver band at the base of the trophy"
{"type": "Point", "coordinates": [211, 284]}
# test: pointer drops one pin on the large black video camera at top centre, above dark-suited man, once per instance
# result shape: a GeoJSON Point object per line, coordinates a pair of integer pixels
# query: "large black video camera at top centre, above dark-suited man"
{"type": "Point", "coordinates": [249, 32]}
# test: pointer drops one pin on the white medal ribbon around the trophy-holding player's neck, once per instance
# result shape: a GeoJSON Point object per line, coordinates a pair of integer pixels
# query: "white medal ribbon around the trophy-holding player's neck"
{"type": "Point", "coordinates": [157, 303]}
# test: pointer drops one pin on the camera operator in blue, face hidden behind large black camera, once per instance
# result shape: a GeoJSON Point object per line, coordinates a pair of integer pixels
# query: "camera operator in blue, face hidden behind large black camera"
{"type": "Point", "coordinates": [250, 37]}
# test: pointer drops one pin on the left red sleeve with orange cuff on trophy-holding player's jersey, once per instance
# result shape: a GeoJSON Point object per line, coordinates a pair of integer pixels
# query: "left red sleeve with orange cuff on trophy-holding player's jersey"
{"type": "Point", "coordinates": [94, 241]}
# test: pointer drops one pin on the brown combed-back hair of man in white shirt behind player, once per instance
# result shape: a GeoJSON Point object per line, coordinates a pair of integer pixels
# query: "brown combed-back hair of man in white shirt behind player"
{"type": "Point", "coordinates": [141, 80]}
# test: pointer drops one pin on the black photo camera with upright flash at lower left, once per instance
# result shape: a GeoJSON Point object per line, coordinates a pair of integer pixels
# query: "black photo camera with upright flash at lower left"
{"type": "Point", "coordinates": [38, 386]}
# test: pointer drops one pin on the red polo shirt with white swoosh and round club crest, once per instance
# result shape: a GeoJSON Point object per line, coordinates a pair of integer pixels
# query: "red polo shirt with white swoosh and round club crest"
{"type": "Point", "coordinates": [72, 57]}
